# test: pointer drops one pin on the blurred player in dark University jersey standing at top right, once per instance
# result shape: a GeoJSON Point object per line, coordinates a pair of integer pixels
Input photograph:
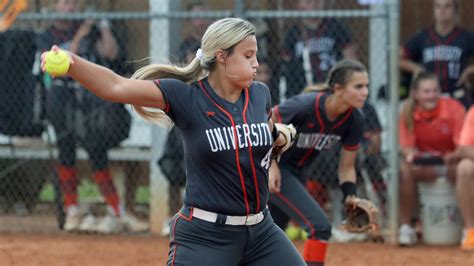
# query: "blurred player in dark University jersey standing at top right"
{"type": "Point", "coordinates": [444, 49]}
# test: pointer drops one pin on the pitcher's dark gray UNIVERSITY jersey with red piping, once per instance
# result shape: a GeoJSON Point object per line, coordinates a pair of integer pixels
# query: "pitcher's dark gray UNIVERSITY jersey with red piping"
{"type": "Point", "coordinates": [227, 145]}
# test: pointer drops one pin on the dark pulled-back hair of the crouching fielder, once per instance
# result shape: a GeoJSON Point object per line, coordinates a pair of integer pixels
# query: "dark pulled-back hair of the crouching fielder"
{"type": "Point", "coordinates": [340, 73]}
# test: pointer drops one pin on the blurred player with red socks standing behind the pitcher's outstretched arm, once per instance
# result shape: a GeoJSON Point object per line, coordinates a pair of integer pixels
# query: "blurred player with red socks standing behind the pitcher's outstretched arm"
{"type": "Point", "coordinates": [69, 105]}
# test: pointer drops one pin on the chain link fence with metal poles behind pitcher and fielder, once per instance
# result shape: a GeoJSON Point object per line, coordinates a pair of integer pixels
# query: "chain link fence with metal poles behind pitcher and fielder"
{"type": "Point", "coordinates": [61, 146]}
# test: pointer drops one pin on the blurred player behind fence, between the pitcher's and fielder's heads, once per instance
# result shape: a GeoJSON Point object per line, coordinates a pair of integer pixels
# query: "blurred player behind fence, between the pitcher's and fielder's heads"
{"type": "Point", "coordinates": [312, 46]}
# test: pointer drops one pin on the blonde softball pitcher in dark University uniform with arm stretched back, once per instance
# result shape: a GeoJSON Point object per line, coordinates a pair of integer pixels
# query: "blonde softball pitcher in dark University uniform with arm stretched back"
{"type": "Point", "coordinates": [228, 140]}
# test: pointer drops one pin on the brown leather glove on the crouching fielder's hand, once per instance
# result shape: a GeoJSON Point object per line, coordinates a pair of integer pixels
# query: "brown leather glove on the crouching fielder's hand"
{"type": "Point", "coordinates": [362, 217]}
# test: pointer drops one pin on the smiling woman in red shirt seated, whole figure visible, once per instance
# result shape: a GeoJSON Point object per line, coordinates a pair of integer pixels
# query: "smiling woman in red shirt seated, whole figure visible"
{"type": "Point", "coordinates": [430, 124]}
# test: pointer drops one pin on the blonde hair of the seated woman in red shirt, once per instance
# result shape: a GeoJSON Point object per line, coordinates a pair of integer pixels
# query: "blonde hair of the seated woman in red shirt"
{"type": "Point", "coordinates": [409, 105]}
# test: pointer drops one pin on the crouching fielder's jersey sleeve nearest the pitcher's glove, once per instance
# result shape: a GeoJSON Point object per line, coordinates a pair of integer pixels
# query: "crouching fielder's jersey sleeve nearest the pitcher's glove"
{"type": "Point", "coordinates": [293, 109]}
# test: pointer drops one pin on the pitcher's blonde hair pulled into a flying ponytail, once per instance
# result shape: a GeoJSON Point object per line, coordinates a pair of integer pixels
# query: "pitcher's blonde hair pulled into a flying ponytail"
{"type": "Point", "coordinates": [224, 34]}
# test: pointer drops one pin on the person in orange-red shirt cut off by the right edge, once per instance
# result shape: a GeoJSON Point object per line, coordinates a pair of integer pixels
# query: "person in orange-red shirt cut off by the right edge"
{"type": "Point", "coordinates": [464, 154]}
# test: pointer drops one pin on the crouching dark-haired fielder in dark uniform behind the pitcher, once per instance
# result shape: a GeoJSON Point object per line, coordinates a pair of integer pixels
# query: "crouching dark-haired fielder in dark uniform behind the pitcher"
{"type": "Point", "coordinates": [323, 118]}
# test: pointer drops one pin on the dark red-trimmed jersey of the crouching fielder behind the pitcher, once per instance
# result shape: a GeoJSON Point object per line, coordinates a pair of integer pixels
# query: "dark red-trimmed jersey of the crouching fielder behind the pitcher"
{"type": "Point", "coordinates": [316, 132]}
